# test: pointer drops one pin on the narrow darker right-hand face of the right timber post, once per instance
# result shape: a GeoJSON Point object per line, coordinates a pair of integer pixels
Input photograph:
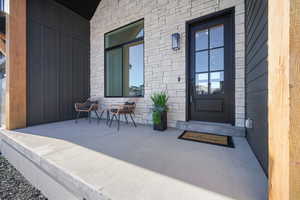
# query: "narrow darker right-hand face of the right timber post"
{"type": "Point", "coordinates": [294, 135]}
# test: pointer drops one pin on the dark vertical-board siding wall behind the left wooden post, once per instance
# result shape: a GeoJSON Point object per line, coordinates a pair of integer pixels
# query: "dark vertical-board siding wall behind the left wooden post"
{"type": "Point", "coordinates": [58, 61]}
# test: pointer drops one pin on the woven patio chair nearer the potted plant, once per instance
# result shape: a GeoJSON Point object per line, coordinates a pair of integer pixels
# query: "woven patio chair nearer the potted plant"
{"type": "Point", "coordinates": [128, 108]}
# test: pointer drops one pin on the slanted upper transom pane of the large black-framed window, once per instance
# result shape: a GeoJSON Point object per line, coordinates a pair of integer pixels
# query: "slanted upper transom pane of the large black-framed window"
{"type": "Point", "coordinates": [125, 34]}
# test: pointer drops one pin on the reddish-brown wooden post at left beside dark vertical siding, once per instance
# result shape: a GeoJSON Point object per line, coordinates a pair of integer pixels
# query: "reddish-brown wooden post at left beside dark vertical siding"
{"type": "Point", "coordinates": [16, 65]}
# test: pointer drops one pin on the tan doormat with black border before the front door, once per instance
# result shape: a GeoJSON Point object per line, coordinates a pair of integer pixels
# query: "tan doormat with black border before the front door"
{"type": "Point", "coordinates": [208, 138]}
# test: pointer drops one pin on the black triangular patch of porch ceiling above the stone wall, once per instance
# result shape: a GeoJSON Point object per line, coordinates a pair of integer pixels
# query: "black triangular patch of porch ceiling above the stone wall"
{"type": "Point", "coordinates": [84, 8]}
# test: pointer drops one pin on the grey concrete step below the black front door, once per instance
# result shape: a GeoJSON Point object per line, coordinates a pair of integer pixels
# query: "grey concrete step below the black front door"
{"type": "Point", "coordinates": [211, 127]}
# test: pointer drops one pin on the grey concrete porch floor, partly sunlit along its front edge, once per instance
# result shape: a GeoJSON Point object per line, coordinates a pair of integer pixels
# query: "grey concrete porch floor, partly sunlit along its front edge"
{"type": "Point", "coordinates": [94, 161]}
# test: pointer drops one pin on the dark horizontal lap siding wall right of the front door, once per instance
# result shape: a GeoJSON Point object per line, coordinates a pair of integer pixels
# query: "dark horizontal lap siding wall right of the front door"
{"type": "Point", "coordinates": [256, 24]}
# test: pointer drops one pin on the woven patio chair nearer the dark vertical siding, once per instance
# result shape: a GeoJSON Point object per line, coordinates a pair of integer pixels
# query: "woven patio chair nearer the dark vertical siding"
{"type": "Point", "coordinates": [87, 107]}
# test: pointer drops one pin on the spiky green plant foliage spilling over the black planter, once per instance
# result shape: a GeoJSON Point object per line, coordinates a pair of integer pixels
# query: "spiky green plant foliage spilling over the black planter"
{"type": "Point", "coordinates": [160, 101]}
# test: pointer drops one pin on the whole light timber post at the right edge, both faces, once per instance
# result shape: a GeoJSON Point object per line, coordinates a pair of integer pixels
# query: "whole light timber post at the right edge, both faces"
{"type": "Point", "coordinates": [284, 99]}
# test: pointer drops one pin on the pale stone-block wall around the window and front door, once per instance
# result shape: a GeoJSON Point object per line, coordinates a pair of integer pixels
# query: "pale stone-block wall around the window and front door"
{"type": "Point", "coordinates": [163, 66]}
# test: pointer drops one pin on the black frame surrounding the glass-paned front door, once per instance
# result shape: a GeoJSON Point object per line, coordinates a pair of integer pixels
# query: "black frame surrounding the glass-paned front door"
{"type": "Point", "coordinates": [228, 11]}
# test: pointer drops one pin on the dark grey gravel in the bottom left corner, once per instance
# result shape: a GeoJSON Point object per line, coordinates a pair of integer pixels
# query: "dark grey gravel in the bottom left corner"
{"type": "Point", "coordinates": [13, 186]}
